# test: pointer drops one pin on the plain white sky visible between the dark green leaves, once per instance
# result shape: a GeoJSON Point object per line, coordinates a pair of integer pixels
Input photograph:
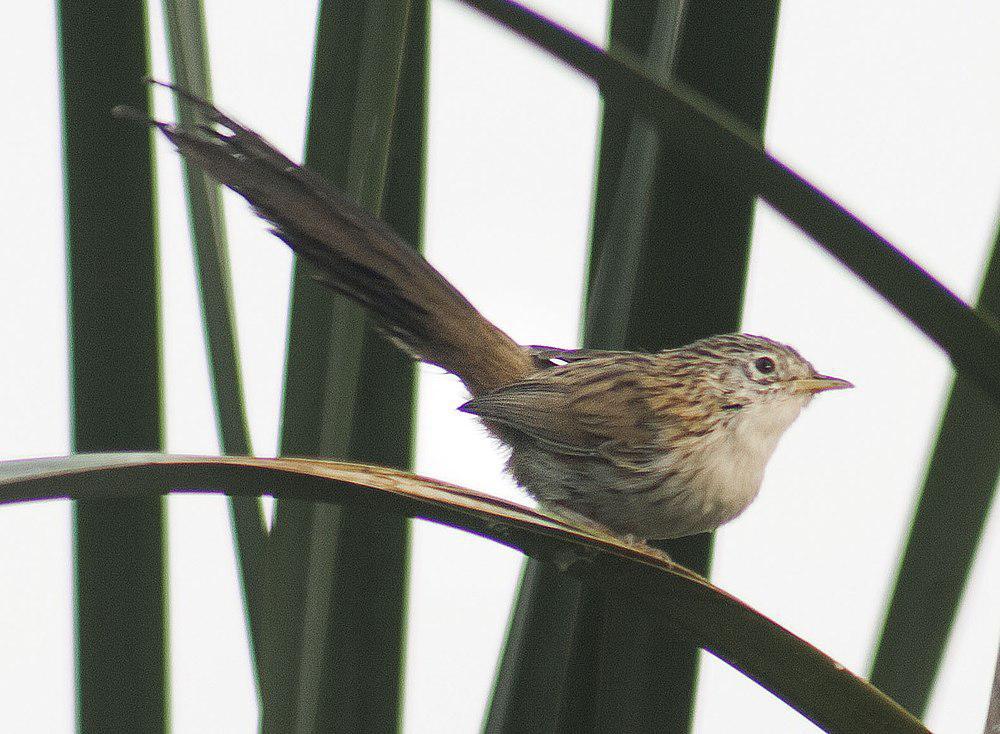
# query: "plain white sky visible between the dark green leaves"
{"type": "Point", "coordinates": [891, 107]}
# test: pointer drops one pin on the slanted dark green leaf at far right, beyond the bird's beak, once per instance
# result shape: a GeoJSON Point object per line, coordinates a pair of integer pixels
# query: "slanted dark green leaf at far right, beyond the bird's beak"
{"type": "Point", "coordinates": [947, 527]}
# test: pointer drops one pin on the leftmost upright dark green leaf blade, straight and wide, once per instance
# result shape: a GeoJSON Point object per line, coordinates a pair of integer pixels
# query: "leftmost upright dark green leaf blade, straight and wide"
{"type": "Point", "coordinates": [115, 364]}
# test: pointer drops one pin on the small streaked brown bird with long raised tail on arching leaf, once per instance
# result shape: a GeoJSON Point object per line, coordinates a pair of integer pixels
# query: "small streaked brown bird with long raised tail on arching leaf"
{"type": "Point", "coordinates": [637, 446]}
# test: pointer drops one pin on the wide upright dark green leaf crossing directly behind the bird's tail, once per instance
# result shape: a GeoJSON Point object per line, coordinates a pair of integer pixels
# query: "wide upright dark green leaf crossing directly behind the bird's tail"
{"type": "Point", "coordinates": [337, 577]}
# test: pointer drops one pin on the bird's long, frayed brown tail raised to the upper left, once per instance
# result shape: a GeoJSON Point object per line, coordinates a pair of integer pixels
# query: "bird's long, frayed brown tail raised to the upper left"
{"type": "Point", "coordinates": [355, 253]}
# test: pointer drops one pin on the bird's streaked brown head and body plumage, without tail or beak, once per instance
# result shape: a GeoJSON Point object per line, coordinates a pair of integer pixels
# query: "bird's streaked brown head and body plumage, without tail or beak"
{"type": "Point", "coordinates": [652, 445]}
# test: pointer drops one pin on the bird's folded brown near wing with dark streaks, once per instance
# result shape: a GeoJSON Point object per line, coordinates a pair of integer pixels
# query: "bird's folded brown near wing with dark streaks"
{"type": "Point", "coordinates": [590, 407]}
